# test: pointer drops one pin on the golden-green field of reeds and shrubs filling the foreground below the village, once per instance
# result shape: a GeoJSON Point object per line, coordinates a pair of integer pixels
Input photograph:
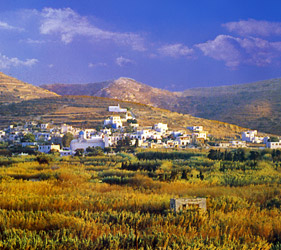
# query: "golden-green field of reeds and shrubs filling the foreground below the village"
{"type": "Point", "coordinates": [122, 201]}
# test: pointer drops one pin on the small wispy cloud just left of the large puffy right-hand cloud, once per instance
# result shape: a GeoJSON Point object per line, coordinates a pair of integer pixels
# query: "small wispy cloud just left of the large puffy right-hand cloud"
{"type": "Point", "coordinates": [175, 50]}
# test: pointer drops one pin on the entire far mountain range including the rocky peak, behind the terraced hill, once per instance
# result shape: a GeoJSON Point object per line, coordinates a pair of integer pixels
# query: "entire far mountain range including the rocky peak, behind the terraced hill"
{"type": "Point", "coordinates": [254, 105]}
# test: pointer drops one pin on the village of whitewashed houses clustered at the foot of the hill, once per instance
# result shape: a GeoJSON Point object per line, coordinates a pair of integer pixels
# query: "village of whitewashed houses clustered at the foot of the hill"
{"type": "Point", "coordinates": [46, 138]}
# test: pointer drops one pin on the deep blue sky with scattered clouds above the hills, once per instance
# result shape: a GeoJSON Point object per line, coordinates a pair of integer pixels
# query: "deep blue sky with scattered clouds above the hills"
{"type": "Point", "coordinates": [168, 44]}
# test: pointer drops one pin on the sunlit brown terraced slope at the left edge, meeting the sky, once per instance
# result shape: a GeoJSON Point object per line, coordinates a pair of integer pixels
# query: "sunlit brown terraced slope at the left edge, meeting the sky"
{"type": "Point", "coordinates": [14, 90]}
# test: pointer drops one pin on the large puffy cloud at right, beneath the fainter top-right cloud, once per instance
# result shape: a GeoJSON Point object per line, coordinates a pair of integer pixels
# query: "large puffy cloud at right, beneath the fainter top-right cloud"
{"type": "Point", "coordinates": [235, 51]}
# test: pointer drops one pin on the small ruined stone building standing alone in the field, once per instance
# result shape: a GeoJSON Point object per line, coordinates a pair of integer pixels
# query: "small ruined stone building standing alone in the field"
{"type": "Point", "coordinates": [188, 203]}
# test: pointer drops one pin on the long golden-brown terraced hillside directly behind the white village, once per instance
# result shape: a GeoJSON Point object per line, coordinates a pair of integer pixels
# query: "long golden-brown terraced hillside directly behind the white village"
{"type": "Point", "coordinates": [87, 112]}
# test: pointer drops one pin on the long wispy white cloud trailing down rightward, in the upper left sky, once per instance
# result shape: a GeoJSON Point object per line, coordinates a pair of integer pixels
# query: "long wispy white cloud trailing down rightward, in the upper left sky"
{"type": "Point", "coordinates": [68, 24]}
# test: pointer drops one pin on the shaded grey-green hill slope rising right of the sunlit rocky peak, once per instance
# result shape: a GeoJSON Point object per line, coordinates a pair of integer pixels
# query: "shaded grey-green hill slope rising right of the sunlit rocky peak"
{"type": "Point", "coordinates": [255, 105]}
